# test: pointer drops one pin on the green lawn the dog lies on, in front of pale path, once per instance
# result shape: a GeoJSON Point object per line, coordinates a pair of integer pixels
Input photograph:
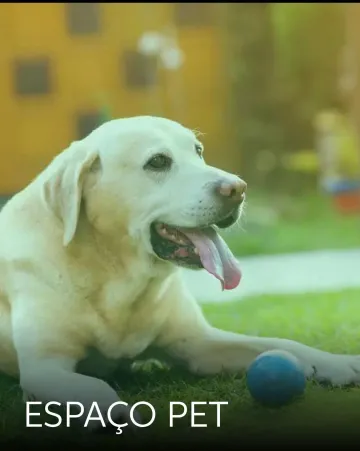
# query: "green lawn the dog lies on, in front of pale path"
{"type": "Point", "coordinates": [329, 321]}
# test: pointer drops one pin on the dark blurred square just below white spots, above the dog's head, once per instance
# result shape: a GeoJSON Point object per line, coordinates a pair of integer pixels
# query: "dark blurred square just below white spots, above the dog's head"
{"type": "Point", "coordinates": [140, 70]}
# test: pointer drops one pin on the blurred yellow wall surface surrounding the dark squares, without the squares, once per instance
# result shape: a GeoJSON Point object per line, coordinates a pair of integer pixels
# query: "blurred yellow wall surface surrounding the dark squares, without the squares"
{"type": "Point", "coordinates": [85, 67]}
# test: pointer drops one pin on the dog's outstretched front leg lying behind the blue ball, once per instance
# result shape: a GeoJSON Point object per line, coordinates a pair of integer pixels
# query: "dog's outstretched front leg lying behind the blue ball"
{"type": "Point", "coordinates": [219, 350]}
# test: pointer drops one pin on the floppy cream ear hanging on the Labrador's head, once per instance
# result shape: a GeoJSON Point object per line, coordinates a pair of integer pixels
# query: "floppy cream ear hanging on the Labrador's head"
{"type": "Point", "coordinates": [63, 186]}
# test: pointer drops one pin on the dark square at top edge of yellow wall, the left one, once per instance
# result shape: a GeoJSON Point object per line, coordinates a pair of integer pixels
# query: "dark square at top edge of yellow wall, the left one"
{"type": "Point", "coordinates": [83, 18]}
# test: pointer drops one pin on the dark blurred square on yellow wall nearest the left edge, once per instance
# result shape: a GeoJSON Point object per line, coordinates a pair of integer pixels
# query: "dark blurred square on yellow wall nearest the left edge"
{"type": "Point", "coordinates": [32, 76]}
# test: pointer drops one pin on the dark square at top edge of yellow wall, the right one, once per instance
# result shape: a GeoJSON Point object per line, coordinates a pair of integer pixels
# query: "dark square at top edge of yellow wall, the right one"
{"type": "Point", "coordinates": [193, 14]}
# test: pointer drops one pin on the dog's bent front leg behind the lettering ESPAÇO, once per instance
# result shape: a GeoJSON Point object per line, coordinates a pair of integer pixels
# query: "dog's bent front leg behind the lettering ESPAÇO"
{"type": "Point", "coordinates": [47, 357]}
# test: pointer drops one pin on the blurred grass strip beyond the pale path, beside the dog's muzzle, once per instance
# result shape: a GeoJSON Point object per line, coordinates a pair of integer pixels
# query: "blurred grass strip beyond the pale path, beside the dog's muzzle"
{"type": "Point", "coordinates": [301, 224]}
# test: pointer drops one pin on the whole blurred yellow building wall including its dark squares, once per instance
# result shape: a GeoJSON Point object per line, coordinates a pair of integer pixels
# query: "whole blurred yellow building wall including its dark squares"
{"type": "Point", "coordinates": [63, 65]}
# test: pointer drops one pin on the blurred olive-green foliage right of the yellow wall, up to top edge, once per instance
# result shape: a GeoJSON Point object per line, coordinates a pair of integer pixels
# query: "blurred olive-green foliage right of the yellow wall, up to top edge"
{"type": "Point", "coordinates": [284, 66]}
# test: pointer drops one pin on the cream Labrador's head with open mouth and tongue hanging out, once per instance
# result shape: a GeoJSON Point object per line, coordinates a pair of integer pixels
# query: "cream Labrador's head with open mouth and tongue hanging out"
{"type": "Point", "coordinates": [146, 177]}
